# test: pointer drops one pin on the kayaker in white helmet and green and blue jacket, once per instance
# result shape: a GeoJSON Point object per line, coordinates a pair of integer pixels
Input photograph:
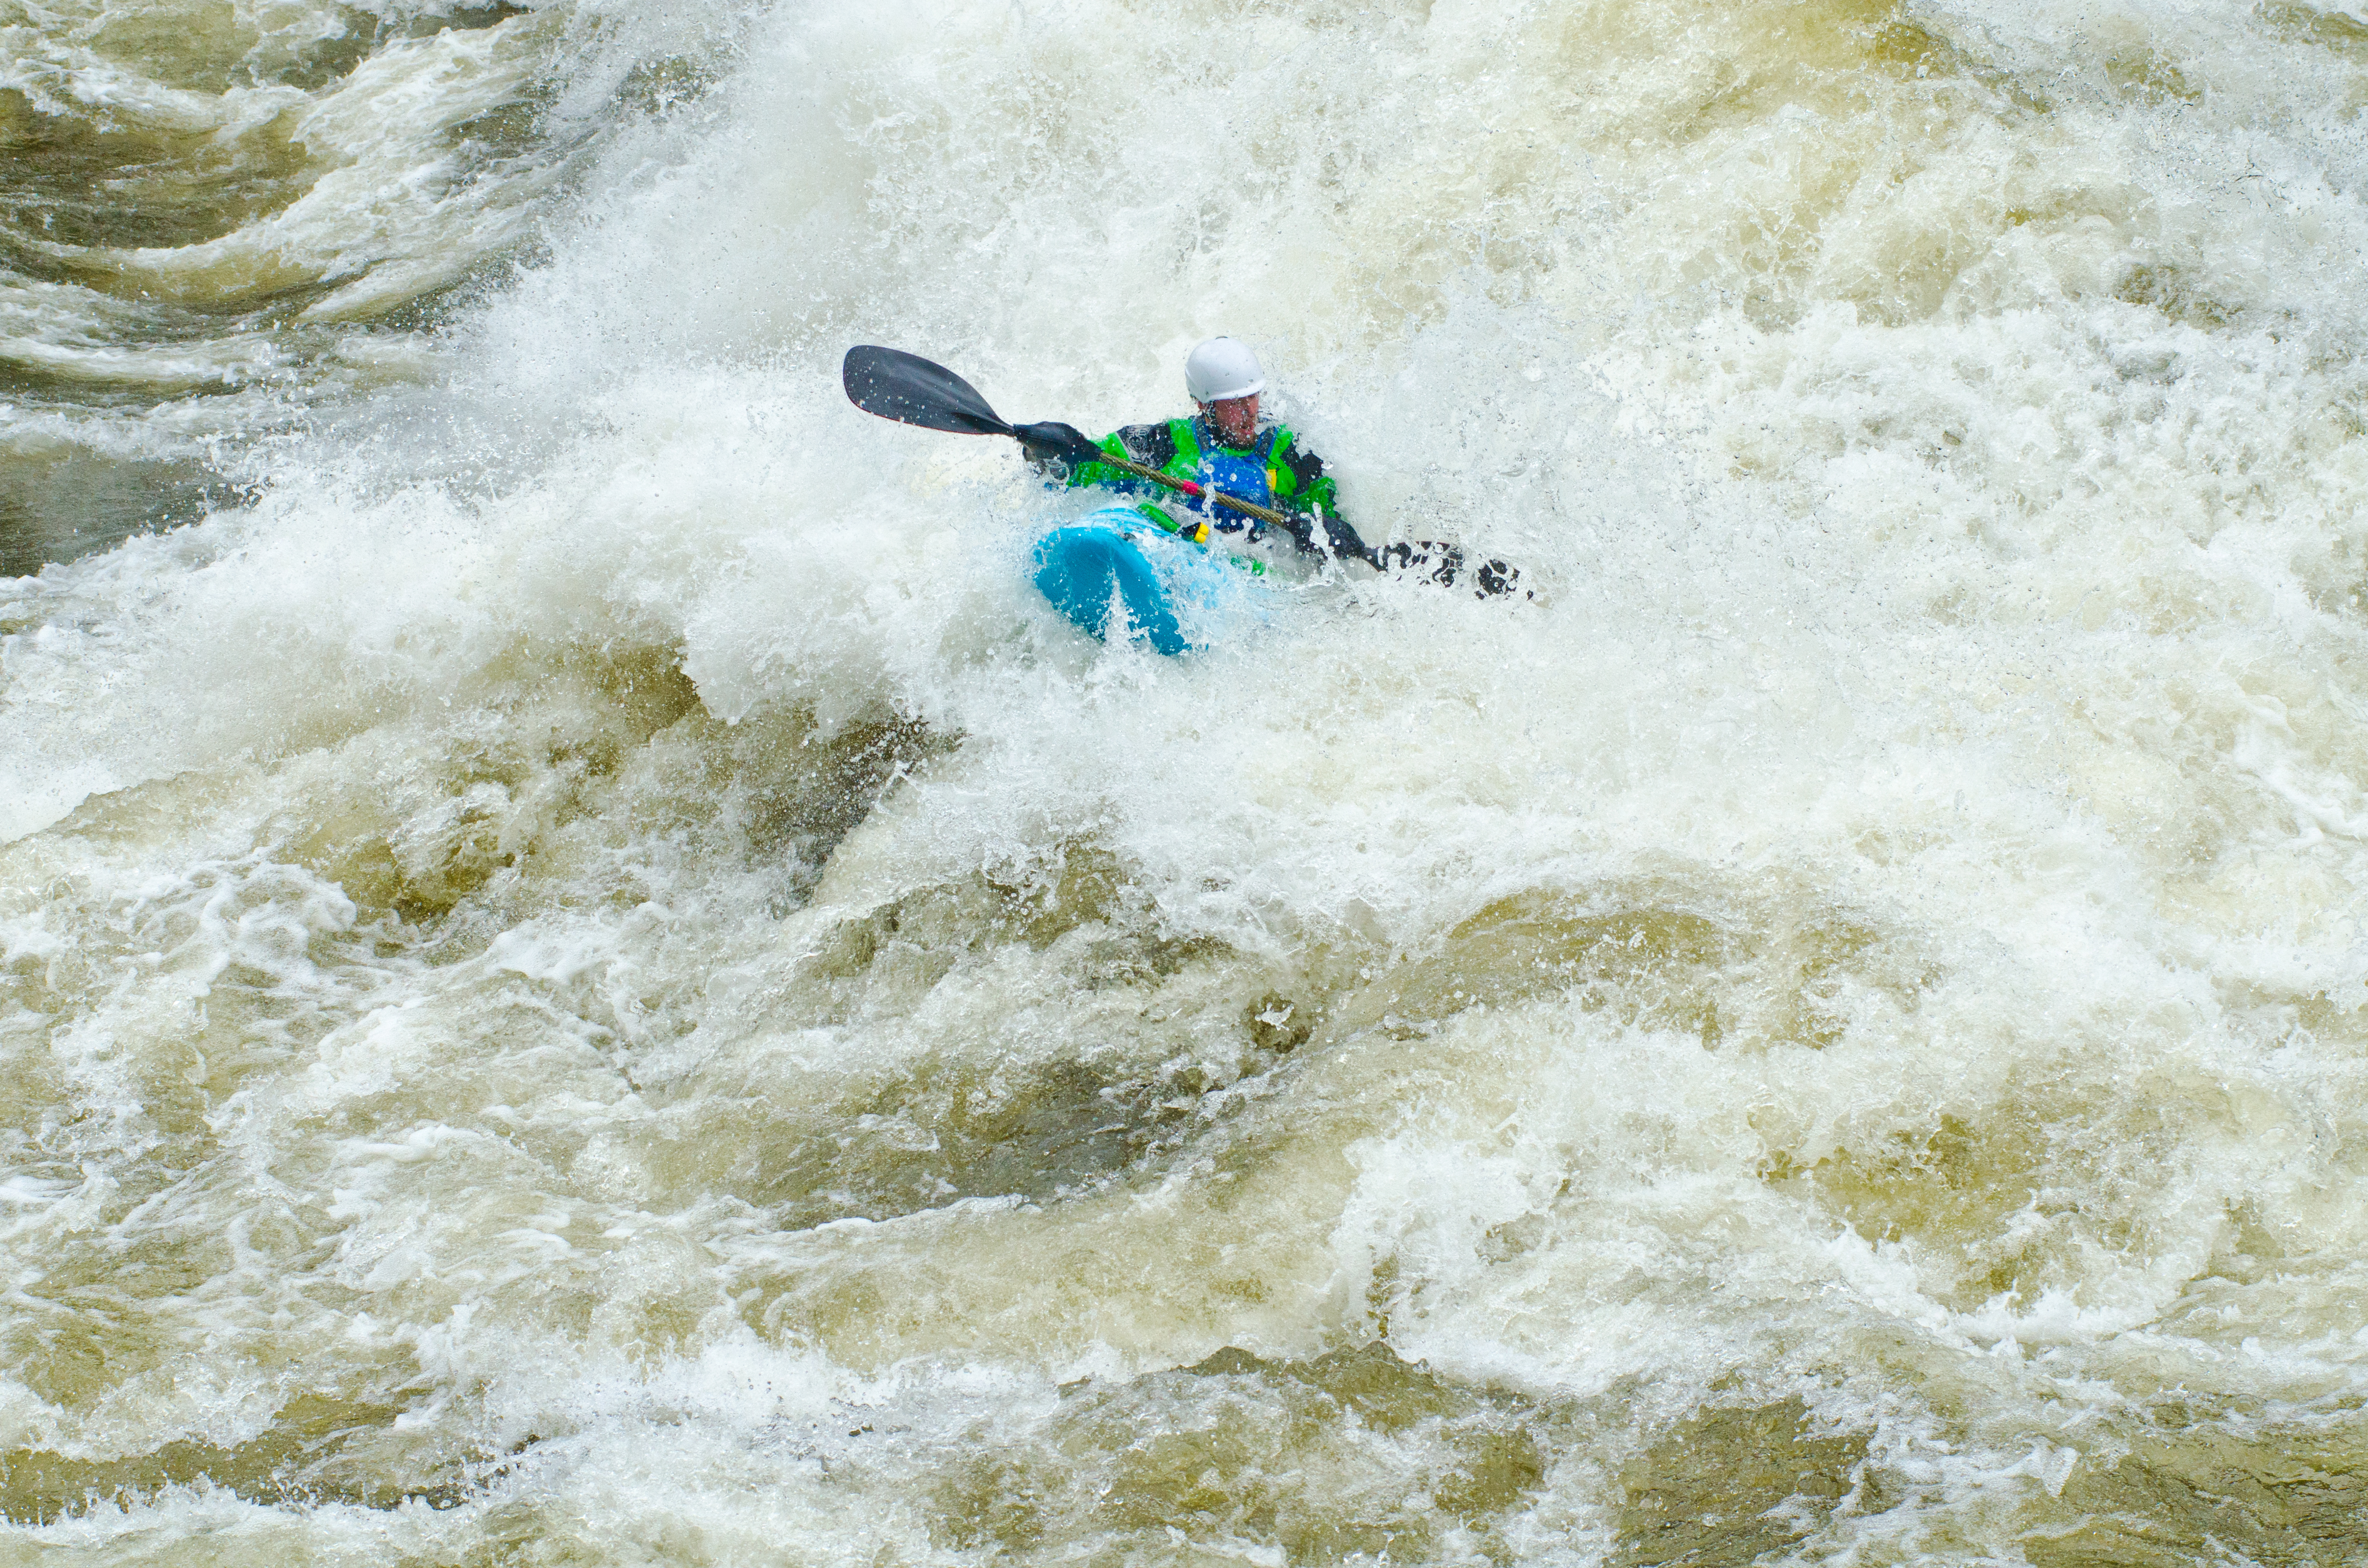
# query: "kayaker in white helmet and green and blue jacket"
{"type": "Point", "coordinates": [1228, 449]}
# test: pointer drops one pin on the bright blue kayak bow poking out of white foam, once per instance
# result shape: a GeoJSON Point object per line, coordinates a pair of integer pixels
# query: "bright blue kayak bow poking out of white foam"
{"type": "Point", "coordinates": [1176, 596]}
